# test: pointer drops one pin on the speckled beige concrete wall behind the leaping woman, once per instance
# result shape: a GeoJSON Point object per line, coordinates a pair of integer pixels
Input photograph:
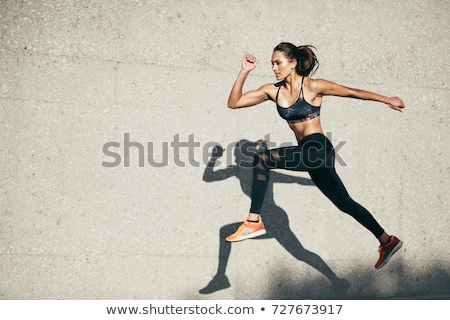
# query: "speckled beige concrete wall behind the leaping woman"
{"type": "Point", "coordinates": [76, 75]}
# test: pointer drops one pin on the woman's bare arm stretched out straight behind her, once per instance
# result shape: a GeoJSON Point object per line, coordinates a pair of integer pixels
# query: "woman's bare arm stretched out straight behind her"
{"type": "Point", "coordinates": [327, 88]}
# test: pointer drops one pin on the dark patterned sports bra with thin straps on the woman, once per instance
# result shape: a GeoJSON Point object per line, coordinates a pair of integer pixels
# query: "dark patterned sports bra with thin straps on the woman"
{"type": "Point", "coordinates": [300, 111]}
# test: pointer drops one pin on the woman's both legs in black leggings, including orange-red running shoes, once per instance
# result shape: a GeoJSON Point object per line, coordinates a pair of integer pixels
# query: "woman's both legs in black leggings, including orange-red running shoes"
{"type": "Point", "coordinates": [314, 154]}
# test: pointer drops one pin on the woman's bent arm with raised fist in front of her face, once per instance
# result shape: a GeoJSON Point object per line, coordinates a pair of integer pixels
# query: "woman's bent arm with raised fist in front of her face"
{"type": "Point", "coordinates": [237, 99]}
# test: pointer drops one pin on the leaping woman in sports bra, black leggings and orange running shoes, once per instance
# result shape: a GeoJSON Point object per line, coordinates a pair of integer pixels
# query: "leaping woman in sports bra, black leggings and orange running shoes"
{"type": "Point", "coordinates": [298, 99]}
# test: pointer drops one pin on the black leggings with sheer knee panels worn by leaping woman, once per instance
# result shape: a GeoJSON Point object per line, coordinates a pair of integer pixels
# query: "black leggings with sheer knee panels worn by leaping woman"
{"type": "Point", "coordinates": [314, 154]}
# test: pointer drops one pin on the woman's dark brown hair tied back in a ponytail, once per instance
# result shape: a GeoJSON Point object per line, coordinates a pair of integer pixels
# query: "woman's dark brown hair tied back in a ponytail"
{"type": "Point", "coordinates": [307, 62]}
